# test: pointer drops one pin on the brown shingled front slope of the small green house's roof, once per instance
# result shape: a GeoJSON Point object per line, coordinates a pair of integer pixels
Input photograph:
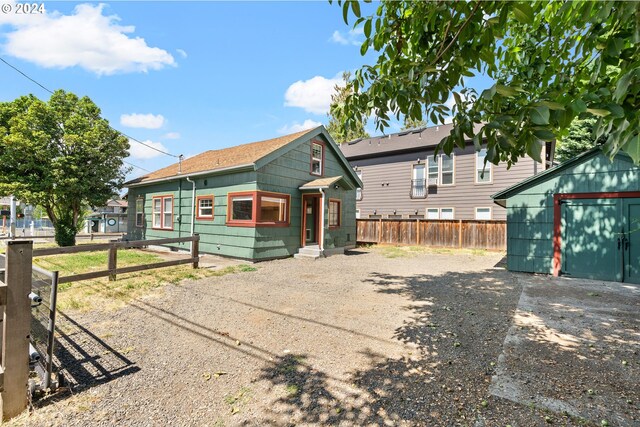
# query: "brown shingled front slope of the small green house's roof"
{"type": "Point", "coordinates": [225, 158]}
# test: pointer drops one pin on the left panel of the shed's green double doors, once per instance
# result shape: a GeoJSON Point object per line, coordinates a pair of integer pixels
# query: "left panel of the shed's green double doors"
{"type": "Point", "coordinates": [590, 231]}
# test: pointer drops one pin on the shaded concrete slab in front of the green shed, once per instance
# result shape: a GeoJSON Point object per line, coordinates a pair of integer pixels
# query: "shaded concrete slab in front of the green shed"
{"type": "Point", "coordinates": [574, 347]}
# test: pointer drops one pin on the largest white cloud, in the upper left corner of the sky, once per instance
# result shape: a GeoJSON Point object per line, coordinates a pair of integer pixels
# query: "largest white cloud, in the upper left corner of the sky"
{"type": "Point", "coordinates": [86, 38]}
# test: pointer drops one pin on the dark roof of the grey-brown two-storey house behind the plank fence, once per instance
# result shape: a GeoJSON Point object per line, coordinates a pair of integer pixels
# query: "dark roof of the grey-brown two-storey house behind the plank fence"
{"type": "Point", "coordinates": [405, 141]}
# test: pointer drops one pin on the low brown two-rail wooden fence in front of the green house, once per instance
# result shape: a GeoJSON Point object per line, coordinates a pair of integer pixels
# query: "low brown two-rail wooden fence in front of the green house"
{"type": "Point", "coordinates": [112, 268]}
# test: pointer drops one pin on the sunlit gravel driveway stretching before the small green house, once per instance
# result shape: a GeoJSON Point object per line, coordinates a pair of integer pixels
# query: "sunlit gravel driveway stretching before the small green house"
{"type": "Point", "coordinates": [354, 339]}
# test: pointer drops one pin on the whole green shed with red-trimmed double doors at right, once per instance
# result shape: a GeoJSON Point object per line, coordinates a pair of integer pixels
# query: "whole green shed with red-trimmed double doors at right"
{"type": "Point", "coordinates": [579, 219]}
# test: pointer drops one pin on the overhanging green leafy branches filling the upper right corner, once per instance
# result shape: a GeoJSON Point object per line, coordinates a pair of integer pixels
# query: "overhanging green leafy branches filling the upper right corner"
{"type": "Point", "coordinates": [551, 61]}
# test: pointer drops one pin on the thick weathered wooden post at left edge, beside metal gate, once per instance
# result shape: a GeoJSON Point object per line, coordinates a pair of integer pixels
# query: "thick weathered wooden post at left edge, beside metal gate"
{"type": "Point", "coordinates": [17, 327]}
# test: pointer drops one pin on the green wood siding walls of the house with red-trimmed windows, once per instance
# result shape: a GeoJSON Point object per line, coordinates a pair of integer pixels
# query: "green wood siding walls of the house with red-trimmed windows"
{"type": "Point", "coordinates": [284, 174]}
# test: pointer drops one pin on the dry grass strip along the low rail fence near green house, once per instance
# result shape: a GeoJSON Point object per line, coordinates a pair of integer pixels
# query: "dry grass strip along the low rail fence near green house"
{"type": "Point", "coordinates": [102, 294]}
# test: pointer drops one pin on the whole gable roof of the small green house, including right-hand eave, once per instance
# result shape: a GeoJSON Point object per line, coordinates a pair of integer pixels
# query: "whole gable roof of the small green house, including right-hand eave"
{"type": "Point", "coordinates": [250, 156]}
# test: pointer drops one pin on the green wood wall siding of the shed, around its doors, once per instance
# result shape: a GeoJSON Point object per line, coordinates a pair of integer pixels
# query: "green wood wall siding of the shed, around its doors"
{"type": "Point", "coordinates": [530, 211]}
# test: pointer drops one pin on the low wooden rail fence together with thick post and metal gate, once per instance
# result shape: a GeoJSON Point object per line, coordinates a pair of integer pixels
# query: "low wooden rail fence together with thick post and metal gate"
{"type": "Point", "coordinates": [28, 306]}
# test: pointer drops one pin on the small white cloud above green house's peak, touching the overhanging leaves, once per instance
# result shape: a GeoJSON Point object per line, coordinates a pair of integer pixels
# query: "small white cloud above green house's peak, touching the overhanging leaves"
{"type": "Point", "coordinates": [313, 95]}
